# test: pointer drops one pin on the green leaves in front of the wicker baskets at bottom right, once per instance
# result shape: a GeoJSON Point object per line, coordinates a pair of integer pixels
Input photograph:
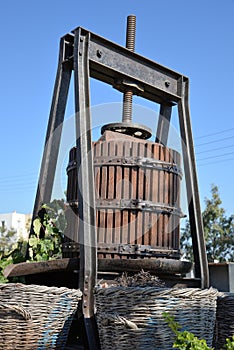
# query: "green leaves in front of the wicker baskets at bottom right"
{"type": "Point", "coordinates": [185, 340]}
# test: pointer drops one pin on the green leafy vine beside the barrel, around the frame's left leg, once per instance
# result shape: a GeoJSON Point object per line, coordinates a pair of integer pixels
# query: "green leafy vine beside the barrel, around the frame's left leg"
{"type": "Point", "coordinates": [43, 244]}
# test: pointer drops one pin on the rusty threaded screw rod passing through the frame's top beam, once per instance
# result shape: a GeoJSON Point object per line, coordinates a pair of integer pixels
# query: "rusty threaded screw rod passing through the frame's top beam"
{"type": "Point", "coordinates": [130, 45]}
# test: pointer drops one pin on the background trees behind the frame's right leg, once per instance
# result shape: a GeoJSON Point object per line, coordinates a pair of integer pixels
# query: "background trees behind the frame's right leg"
{"type": "Point", "coordinates": [218, 231]}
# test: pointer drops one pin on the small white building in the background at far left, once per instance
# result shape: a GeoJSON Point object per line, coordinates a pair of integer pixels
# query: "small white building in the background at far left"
{"type": "Point", "coordinates": [18, 222]}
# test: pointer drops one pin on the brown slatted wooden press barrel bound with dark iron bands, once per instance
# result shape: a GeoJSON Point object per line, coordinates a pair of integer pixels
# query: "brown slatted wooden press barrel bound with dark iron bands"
{"type": "Point", "coordinates": [130, 176]}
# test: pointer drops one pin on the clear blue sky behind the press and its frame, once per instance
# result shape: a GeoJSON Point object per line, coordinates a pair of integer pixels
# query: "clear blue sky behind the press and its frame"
{"type": "Point", "coordinates": [195, 38]}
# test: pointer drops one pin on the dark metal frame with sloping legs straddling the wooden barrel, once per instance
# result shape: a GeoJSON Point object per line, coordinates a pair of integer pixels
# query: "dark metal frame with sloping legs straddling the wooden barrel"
{"type": "Point", "coordinates": [90, 55]}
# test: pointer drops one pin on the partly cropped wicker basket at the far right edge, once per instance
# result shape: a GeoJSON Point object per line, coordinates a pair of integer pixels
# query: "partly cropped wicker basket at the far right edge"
{"type": "Point", "coordinates": [224, 319]}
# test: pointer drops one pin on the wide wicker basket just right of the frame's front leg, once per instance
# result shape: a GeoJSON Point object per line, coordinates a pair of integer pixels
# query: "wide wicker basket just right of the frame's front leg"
{"type": "Point", "coordinates": [131, 317]}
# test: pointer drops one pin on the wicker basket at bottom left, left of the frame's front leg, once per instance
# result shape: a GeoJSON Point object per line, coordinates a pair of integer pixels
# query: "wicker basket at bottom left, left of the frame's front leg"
{"type": "Point", "coordinates": [35, 317]}
